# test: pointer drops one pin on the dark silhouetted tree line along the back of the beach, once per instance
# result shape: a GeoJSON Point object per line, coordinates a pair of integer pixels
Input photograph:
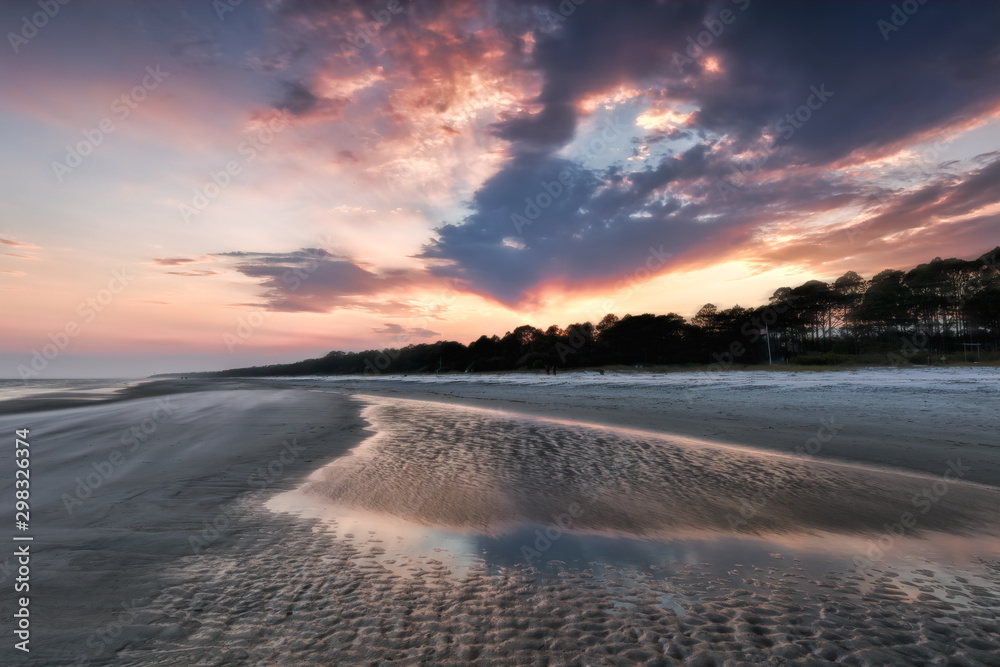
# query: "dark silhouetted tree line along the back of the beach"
{"type": "Point", "coordinates": [942, 308]}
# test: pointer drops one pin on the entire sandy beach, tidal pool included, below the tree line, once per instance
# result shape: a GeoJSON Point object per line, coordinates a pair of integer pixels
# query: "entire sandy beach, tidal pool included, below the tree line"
{"type": "Point", "coordinates": [688, 518]}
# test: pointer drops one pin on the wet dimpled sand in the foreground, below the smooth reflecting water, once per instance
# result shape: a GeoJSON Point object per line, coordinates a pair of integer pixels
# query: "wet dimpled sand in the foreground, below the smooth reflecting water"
{"type": "Point", "coordinates": [311, 598]}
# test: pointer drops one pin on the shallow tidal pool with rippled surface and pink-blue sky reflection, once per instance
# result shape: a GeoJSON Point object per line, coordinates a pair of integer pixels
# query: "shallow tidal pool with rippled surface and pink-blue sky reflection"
{"type": "Point", "coordinates": [461, 487]}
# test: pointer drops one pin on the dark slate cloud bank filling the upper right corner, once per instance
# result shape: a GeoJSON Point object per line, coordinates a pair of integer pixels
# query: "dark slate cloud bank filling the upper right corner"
{"type": "Point", "coordinates": [940, 65]}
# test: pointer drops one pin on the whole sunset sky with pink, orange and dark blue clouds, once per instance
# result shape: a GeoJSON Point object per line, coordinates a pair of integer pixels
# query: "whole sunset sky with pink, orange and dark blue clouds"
{"type": "Point", "coordinates": [207, 185]}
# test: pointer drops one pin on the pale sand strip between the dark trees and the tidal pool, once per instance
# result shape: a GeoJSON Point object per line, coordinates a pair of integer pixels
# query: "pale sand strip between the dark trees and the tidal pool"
{"type": "Point", "coordinates": [914, 419]}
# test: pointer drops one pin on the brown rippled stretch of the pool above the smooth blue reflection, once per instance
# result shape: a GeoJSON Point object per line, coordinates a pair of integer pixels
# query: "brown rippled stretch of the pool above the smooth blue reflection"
{"type": "Point", "coordinates": [443, 465]}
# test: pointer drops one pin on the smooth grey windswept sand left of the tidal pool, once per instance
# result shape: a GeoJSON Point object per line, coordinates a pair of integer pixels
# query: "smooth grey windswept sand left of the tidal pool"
{"type": "Point", "coordinates": [104, 531]}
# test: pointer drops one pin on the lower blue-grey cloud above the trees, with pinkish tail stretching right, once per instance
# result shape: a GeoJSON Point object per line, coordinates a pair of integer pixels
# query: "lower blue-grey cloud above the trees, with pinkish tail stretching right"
{"type": "Point", "coordinates": [601, 228]}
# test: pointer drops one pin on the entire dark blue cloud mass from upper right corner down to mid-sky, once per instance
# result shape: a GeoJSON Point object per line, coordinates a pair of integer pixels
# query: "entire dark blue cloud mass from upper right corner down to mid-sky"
{"type": "Point", "coordinates": [874, 95]}
